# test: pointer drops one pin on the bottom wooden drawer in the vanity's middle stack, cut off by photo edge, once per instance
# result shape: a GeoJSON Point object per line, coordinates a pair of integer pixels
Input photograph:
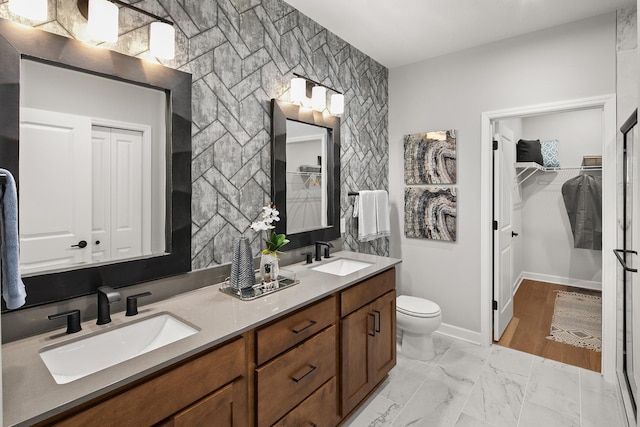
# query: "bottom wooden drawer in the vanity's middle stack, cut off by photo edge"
{"type": "Point", "coordinates": [319, 409]}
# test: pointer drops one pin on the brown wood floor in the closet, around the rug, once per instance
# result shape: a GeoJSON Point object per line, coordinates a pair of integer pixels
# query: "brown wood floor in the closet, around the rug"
{"type": "Point", "coordinates": [531, 324]}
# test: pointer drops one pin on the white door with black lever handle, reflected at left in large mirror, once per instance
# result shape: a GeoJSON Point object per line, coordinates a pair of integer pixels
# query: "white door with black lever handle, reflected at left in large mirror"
{"type": "Point", "coordinates": [55, 177]}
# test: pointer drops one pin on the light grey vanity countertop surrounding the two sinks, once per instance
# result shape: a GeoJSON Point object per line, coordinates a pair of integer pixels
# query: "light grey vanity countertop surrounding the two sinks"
{"type": "Point", "coordinates": [30, 393]}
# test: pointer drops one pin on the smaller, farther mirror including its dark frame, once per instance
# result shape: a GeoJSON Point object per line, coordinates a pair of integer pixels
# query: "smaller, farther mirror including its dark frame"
{"type": "Point", "coordinates": [305, 173]}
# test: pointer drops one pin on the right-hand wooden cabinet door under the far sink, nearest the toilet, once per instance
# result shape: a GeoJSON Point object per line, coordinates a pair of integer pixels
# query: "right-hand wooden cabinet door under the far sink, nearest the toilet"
{"type": "Point", "coordinates": [383, 352]}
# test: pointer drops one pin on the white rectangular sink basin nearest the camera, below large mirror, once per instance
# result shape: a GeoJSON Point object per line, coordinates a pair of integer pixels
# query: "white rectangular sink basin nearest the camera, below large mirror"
{"type": "Point", "coordinates": [77, 359]}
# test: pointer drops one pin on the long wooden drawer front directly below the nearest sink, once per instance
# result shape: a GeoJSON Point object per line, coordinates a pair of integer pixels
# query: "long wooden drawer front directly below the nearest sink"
{"type": "Point", "coordinates": [162, 396]}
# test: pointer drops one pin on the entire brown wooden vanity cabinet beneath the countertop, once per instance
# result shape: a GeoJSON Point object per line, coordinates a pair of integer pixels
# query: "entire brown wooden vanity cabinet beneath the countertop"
{"type": "Point", "coordinates": [308, 368]}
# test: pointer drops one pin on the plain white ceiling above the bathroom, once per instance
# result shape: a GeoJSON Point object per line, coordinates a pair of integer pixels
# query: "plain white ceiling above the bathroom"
{"type": "Point", "coordinates": [400, 32]}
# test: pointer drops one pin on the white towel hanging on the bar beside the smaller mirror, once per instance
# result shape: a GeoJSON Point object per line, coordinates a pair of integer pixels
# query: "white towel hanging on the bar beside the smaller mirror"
{"type": "Point", "coordinates": [373, 215]}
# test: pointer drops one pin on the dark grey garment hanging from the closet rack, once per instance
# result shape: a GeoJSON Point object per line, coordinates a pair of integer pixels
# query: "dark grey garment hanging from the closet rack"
{"type": "Point", "coordinates": [583, 200]}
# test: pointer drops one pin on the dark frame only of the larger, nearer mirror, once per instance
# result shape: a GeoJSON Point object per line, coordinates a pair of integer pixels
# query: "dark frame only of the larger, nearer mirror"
{"type": "Point", "coordinates": [17, 42]}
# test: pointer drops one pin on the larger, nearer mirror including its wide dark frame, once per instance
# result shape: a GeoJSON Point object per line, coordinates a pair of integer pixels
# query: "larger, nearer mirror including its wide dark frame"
{"type": "Point", "coordinates": [100, 146]}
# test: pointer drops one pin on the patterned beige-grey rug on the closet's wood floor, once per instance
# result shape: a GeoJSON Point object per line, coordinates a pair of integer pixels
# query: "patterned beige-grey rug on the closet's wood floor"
{"type": "Point", "coordinates": [577, 320]}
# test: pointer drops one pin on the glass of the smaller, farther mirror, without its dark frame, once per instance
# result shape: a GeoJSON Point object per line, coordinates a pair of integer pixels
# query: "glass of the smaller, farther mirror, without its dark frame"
{"type": "Point", "coordinates": [306, 177]}
